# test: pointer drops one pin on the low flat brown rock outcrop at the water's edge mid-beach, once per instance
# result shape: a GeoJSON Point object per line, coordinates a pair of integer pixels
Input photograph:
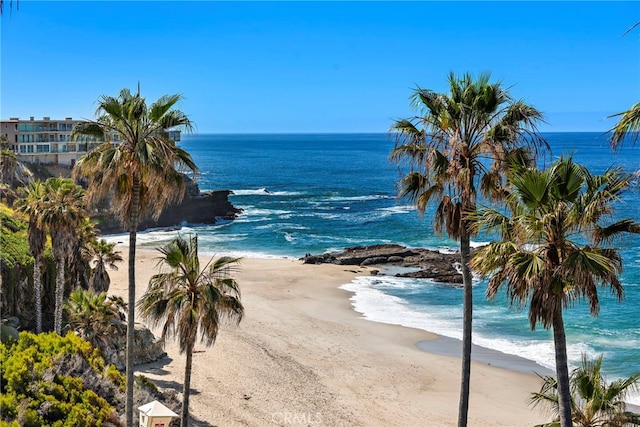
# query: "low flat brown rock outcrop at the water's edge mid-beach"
{"type": "Point", "coordinates": [427, 264]}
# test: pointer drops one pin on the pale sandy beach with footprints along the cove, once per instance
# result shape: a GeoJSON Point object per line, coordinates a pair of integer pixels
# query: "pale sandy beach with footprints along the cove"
{"type": "Point", "coordinates": [302, 356]}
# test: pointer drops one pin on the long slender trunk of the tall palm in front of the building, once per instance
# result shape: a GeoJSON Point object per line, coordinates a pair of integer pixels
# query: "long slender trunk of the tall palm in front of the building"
{"type": "Point", "coordinates": [133, 229]}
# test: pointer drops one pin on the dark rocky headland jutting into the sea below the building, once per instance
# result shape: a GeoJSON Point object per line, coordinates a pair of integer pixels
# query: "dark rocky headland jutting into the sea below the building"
{"type": "Point", "coordinates": [196, 208]}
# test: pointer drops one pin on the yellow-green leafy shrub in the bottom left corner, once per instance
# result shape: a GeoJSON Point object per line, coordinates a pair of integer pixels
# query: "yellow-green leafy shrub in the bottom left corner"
{"type": "Point", "coordinates": [37, 390]}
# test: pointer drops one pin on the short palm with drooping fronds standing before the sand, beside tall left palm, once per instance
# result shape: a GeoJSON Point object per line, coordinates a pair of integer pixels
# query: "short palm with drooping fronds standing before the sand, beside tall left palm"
{"type": "Point", "coordinates": [186, 299]}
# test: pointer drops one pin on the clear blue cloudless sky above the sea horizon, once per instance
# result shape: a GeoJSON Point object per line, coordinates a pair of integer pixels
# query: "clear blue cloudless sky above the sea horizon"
{"type": "Point", "coordinates": [317, 66]}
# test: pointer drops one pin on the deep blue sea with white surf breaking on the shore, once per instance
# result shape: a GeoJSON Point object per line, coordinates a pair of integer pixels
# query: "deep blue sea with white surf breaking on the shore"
{"type": "Point", "coordinates": [316, 193]}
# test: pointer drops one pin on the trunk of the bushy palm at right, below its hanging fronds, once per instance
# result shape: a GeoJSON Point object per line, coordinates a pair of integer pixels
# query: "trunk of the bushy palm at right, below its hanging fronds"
{"type": "Point", "coordinates": [562, 369]}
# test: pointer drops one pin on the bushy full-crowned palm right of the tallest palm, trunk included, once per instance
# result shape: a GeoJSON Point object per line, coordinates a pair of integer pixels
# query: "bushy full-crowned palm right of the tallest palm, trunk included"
{"type": "Point", "coordinates": [551, 252]}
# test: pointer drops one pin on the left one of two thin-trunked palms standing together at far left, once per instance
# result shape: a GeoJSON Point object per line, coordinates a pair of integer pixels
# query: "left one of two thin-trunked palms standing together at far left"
{"type": "Point", "coordinates": [31, 203]}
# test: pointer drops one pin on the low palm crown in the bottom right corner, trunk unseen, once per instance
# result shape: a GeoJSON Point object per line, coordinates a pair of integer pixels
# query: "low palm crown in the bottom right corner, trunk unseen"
{"type": "Point", "coordinates": [594, 402]}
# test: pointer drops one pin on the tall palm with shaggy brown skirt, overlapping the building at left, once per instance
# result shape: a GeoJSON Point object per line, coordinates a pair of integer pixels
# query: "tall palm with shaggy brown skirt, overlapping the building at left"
{"type": "Point", "coordinates": [136, 168]}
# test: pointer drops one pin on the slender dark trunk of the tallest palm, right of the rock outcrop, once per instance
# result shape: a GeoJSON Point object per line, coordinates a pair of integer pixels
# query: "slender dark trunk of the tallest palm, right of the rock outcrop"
{"type": "Point", "coordinates": [467, 317]}
